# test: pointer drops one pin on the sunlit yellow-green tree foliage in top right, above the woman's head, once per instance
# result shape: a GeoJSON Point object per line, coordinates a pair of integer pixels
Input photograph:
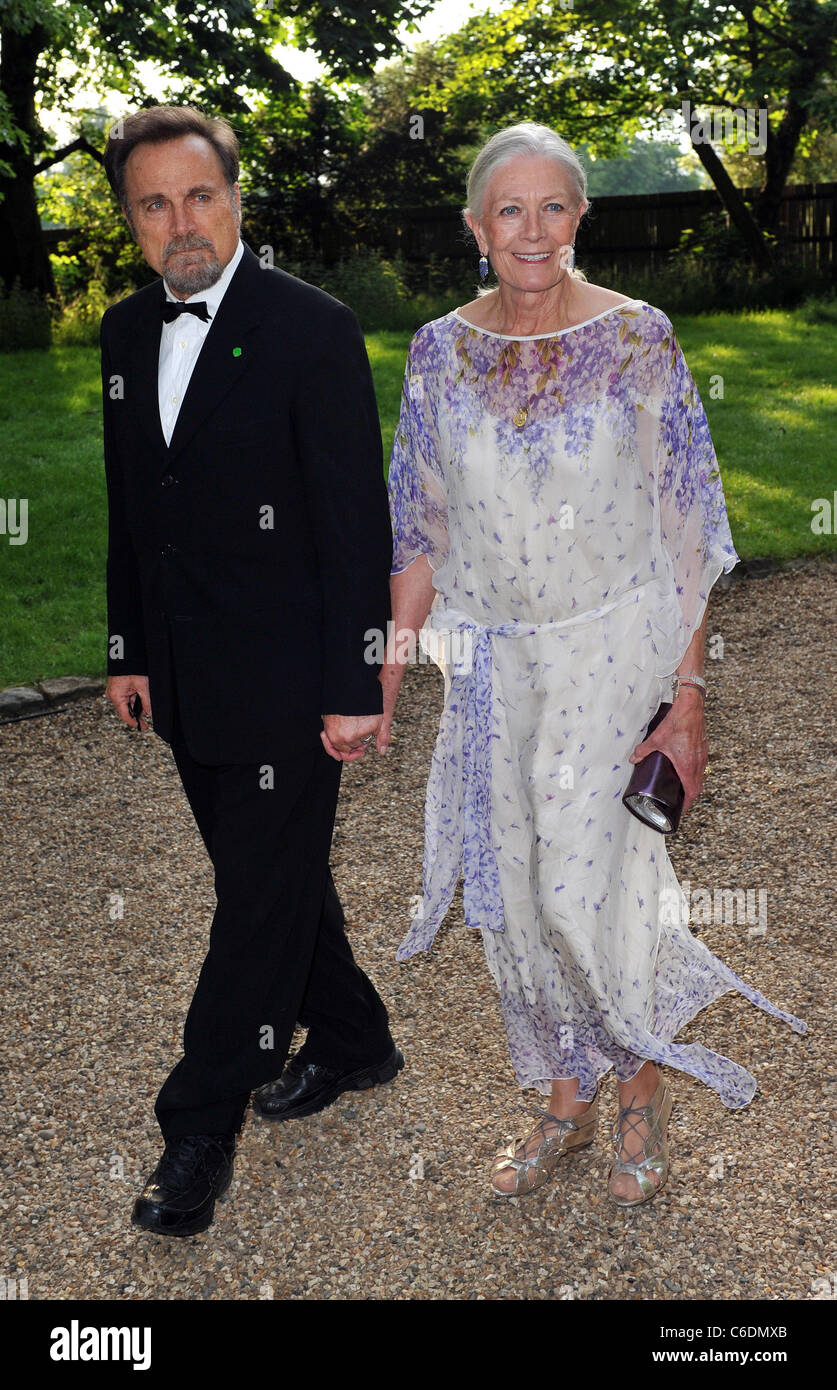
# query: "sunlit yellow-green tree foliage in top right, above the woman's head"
{"type": "Point", "coordinates": [603, 73]}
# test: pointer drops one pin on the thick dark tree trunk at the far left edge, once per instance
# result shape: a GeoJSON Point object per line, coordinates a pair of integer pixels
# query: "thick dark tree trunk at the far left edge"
{"type": "Point", "coordinates": [23, 254]}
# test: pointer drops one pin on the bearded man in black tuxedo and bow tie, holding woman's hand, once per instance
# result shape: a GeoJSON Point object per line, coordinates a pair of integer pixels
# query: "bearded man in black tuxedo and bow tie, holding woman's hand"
{"type": "Point", "coordinates": [250, 551]}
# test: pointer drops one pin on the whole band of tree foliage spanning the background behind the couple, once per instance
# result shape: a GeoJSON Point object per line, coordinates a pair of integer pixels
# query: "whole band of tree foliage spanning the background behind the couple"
{"type": "Point", "coordinates": [341, 161]}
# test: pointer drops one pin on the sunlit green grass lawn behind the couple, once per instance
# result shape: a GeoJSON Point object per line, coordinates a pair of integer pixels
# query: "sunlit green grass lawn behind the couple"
{"type": "Point", "coordinates": [774, 434]}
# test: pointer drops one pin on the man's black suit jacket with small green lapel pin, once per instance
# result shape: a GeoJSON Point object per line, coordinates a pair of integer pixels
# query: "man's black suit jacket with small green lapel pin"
{"type": "Point", "coordinates": [250, 558]}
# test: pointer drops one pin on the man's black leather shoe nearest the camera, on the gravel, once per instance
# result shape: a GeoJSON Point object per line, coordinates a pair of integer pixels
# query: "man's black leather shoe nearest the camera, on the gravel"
{"type": "Point", "coordinates": [180, 1196]}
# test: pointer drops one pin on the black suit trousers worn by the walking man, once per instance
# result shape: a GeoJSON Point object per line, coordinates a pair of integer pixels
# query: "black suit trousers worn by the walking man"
{"type": "Point", "coordinates": [279, 953]}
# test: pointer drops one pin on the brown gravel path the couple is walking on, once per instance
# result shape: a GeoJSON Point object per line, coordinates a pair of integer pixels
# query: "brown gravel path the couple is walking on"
{"type": "Point", "coordinates": [336, 1206]}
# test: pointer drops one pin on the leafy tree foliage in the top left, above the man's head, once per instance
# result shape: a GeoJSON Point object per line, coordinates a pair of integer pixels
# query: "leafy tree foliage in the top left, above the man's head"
{"type": "Point", "coordinates": [213, 55]}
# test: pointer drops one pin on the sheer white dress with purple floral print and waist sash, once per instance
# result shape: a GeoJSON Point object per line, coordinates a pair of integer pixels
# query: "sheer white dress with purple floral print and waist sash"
{"type": "Point", "coordinates": [567, 493]}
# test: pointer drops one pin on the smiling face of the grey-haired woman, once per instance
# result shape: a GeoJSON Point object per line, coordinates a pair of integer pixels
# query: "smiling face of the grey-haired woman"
{"type": "Point", "coordinates": [529, 222]}
